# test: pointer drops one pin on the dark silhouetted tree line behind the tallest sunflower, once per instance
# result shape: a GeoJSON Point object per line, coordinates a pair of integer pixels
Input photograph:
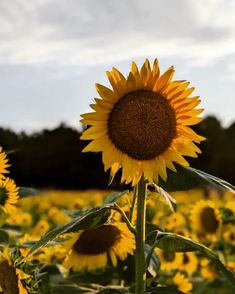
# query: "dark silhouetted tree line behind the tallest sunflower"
{"type": "Point", "coordinates": [53, 158]}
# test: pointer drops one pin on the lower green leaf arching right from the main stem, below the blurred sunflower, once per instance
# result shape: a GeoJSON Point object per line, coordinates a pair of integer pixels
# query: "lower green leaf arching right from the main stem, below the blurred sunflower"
{"type": "Point", "coordinates": [176, 243]}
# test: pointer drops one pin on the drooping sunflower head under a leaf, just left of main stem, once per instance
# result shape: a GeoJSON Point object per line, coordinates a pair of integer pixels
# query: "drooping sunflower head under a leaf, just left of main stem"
{"type": "Point", "coordinates": [90, 249]}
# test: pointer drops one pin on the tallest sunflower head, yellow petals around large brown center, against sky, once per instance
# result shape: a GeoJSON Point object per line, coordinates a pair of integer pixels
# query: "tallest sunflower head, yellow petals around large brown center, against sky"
{"type": "Point", "coordinates": [142, 124]}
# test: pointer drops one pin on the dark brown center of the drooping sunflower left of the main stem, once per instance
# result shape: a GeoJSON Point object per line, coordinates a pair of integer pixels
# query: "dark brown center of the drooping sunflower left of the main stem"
{"type": "Point", "coordinates": [98, 240]}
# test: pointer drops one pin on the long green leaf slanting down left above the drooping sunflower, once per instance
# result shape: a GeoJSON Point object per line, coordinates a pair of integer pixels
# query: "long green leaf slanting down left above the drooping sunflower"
{"type": "Point", "coordinates": [93, 218]}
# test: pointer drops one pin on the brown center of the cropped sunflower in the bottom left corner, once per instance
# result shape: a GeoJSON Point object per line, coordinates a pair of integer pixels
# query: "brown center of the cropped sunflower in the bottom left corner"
{"type": "Point", "coordinates": [8, 278]}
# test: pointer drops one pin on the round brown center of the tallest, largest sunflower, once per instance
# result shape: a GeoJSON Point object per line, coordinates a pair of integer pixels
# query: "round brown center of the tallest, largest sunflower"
{"type": "Point", "coordinates": [142, 124]}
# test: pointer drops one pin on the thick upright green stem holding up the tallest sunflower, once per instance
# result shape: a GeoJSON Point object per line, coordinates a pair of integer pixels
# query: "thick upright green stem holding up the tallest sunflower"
{"type": "Point", "coordinates": [140, 276]}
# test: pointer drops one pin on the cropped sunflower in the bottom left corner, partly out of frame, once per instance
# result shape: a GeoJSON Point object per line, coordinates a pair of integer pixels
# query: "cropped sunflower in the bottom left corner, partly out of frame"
{"type": "Point", "coordinates": [11, 277]}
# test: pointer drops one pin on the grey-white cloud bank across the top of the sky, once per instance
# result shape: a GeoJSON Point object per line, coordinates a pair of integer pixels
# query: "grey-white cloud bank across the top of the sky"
{"type": "Point", "coordinates": [85, 33]}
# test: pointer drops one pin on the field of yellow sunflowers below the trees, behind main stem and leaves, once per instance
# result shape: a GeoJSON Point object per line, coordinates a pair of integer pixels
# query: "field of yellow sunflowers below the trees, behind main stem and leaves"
{"type": "Point", "coordinates": [105, 254]}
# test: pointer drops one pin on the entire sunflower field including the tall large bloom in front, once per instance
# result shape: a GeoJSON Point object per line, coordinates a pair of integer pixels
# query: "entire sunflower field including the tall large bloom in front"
{"type": "Point", "coordinates": [169, 230]}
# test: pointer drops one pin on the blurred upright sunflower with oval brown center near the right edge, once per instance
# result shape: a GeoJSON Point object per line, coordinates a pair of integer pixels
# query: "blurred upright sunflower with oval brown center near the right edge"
{"type": "Point", "coordinates": [206, 220]}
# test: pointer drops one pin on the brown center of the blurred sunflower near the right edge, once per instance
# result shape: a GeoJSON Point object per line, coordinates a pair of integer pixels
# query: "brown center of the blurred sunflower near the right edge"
{"type": "Point", "coordinates": [208, 220]}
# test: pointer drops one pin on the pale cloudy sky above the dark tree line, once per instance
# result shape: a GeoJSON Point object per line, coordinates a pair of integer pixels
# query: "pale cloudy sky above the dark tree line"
{"type": "Point", "coordinates": [52, 52]}
